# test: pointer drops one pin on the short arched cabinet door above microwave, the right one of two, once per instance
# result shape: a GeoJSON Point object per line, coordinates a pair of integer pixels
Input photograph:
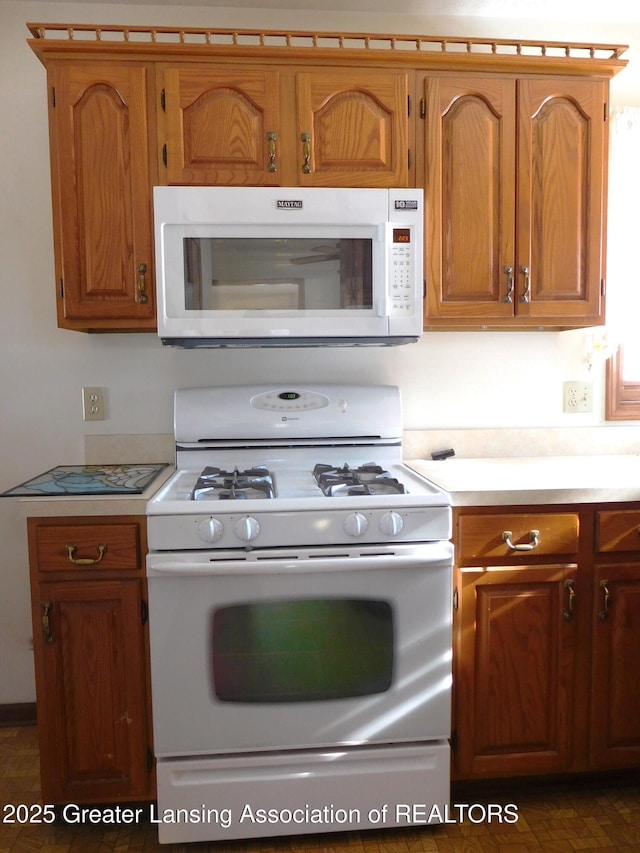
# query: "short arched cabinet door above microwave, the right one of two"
{"type": "Point", "coordinates": [352, 128]}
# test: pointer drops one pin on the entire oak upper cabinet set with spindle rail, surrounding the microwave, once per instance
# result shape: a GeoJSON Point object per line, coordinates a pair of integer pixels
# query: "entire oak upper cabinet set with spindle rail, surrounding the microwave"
{"type": "Point", "coordinates": [510, 147]}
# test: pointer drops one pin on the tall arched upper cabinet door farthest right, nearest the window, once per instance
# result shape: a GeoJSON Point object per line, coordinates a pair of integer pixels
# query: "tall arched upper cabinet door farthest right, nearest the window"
{"type": "Point", "coordinates": [561, 155]}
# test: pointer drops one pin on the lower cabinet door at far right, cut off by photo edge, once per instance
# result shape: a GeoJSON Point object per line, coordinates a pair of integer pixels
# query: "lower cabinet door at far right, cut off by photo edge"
{"type": "Point", "coordinates": [615, 696]}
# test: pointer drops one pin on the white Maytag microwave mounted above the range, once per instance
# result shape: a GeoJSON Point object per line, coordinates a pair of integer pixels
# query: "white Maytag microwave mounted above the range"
{"type": "Point", "coordinates": [265, 266]}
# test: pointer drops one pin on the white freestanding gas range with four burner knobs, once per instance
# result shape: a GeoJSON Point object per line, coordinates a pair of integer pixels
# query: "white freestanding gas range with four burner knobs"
{"type": "Point", "coordinates": [300, 617]}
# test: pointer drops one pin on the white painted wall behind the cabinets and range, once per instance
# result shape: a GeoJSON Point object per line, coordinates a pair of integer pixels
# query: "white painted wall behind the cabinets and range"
{"type": "Point", "coordinates": [461, 380]}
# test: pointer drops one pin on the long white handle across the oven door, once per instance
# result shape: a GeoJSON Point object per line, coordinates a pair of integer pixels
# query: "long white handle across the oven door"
{"type": "Point", "coordinates": [432, 555]}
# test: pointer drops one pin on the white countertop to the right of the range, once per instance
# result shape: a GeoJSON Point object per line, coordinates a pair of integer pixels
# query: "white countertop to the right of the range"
{"type": "Point", "coordinates": [534, 479]}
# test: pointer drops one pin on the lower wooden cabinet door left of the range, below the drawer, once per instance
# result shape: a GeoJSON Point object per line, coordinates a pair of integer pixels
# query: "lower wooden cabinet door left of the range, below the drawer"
{"type": "Point", "coordinates": [92, 708]}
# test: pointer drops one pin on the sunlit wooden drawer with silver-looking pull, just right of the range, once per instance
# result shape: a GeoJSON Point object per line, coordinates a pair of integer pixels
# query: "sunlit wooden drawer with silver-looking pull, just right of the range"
{"type": "Point", "coordinates": [516, 535]}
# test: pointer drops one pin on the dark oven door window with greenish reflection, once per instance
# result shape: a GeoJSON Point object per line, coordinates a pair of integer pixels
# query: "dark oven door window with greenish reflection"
{"type": "Point", "coordinates": [302, 650]}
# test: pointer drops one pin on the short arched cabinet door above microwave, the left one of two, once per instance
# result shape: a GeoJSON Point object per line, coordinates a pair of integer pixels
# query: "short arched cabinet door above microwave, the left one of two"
{"type": "Point", "coordinates": [222, 126]}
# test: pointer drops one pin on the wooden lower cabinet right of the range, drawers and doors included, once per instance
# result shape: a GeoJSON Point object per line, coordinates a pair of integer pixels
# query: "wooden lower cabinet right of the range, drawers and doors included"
{"type": "Point", "coordinates": [546, 637]}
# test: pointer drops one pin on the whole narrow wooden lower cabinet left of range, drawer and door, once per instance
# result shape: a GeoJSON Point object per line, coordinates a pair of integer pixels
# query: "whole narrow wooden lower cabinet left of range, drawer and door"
{"type": "Point", "coordinates": [91, 655]}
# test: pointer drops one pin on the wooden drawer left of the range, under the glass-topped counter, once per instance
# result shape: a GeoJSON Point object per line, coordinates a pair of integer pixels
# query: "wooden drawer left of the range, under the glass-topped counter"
{"type": "Point", "coordinates": [69, 547]}
